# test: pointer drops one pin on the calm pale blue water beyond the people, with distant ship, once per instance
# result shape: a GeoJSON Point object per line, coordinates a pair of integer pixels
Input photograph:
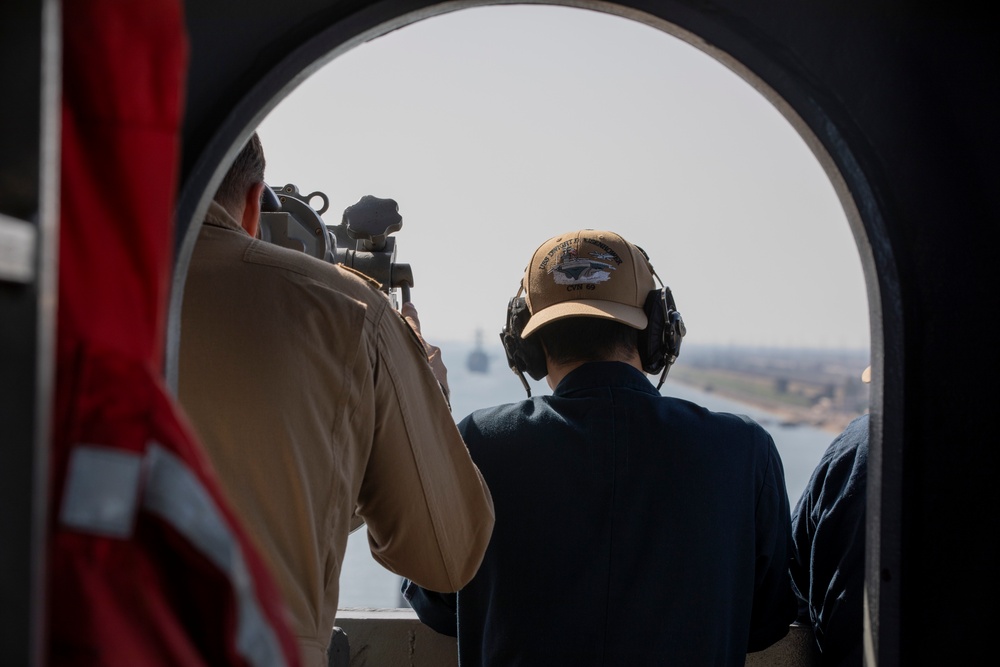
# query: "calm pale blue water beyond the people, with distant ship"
{"type": "Point", "coordinates": [364, 583]}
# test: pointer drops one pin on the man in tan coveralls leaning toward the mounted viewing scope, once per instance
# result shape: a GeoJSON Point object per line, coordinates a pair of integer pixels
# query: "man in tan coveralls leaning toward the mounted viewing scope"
{"type": "Point", "coordinates": [318, 407]}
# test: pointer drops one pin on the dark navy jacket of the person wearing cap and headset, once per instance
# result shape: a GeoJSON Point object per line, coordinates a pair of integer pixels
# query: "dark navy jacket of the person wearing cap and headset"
{"type": "Point", "coordinates": [631, 529]}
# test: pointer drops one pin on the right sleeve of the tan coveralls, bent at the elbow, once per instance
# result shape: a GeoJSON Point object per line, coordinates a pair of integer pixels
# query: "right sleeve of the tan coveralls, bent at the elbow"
{"type": "Point", "coordinates": [428, 511]}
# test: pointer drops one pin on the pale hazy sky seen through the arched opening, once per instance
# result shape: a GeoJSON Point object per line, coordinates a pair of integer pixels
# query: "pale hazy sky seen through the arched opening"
{"type": "Point", "coordinates": [495, 128]}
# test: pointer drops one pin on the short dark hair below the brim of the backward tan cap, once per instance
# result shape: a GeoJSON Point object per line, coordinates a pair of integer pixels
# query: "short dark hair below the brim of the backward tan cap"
{"type": "Point", "coordinates": [575, 339]}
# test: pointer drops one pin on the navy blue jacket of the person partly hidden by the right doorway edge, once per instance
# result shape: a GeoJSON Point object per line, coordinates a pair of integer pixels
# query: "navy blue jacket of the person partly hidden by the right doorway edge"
{"type": "Point", "coordinates": [828, 532]}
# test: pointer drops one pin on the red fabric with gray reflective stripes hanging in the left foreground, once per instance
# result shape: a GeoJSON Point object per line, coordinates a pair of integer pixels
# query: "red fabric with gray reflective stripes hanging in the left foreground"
{"type": "Point", "coordinates": [181, 585]}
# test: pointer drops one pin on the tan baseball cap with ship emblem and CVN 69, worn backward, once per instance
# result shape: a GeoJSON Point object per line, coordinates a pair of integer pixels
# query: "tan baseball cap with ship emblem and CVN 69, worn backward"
{"type": "Point", "coordinates": [588, 273]}
